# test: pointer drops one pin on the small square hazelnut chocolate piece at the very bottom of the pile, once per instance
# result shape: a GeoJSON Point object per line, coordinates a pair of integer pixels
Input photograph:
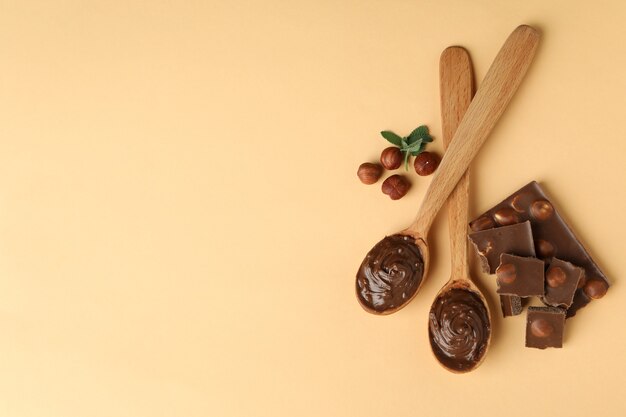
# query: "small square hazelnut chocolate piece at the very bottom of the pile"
{"type": "Point", "coordinates": [544, 327]}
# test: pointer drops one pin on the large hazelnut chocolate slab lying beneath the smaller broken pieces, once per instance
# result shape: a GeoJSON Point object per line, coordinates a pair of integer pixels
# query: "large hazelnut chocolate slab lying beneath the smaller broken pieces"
{"type": "Point", "coordinates": [553, 238]}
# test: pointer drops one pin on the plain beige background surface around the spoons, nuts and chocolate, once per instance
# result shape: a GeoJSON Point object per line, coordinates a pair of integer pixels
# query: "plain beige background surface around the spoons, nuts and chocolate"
{"type": "Point", "coordinates": [180, 220]}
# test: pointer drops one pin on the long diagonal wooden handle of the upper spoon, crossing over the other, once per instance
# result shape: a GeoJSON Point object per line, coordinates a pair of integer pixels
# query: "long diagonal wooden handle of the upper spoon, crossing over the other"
{"type": "Point", "coordinates": [495, 92]}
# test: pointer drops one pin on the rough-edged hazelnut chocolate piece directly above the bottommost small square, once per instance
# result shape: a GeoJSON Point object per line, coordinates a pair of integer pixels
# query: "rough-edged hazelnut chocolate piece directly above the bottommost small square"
{"type": "Point", "coordinates": [562, 279]}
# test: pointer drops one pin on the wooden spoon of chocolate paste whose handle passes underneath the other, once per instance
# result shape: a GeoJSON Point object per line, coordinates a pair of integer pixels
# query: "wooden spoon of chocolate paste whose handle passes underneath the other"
{"type": "Point", "coordinates": [459, 321]}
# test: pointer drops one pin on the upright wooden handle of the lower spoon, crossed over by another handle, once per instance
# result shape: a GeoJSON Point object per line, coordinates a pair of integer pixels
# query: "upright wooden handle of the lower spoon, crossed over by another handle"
{"type": "Point", "coordinates": [456, 90]}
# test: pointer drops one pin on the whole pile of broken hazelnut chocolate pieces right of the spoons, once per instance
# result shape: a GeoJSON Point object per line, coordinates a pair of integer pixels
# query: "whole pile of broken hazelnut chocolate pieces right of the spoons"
{"type": "Point", "coordinates": [534, 253]}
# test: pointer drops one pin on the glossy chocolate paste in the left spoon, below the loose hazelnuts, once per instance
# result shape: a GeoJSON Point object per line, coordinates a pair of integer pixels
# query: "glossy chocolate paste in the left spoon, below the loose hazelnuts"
{"type": "Point", "coordinates": [390, 273]}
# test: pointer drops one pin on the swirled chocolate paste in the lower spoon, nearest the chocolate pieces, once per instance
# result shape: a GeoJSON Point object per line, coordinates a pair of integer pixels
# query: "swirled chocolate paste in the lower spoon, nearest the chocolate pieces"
{"type": "Point", "coordinates": [459, 329]}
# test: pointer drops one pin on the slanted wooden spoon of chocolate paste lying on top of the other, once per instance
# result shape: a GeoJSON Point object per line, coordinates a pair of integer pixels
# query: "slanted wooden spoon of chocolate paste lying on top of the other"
{"type": "Point", "coordinates": [395, 269]}
